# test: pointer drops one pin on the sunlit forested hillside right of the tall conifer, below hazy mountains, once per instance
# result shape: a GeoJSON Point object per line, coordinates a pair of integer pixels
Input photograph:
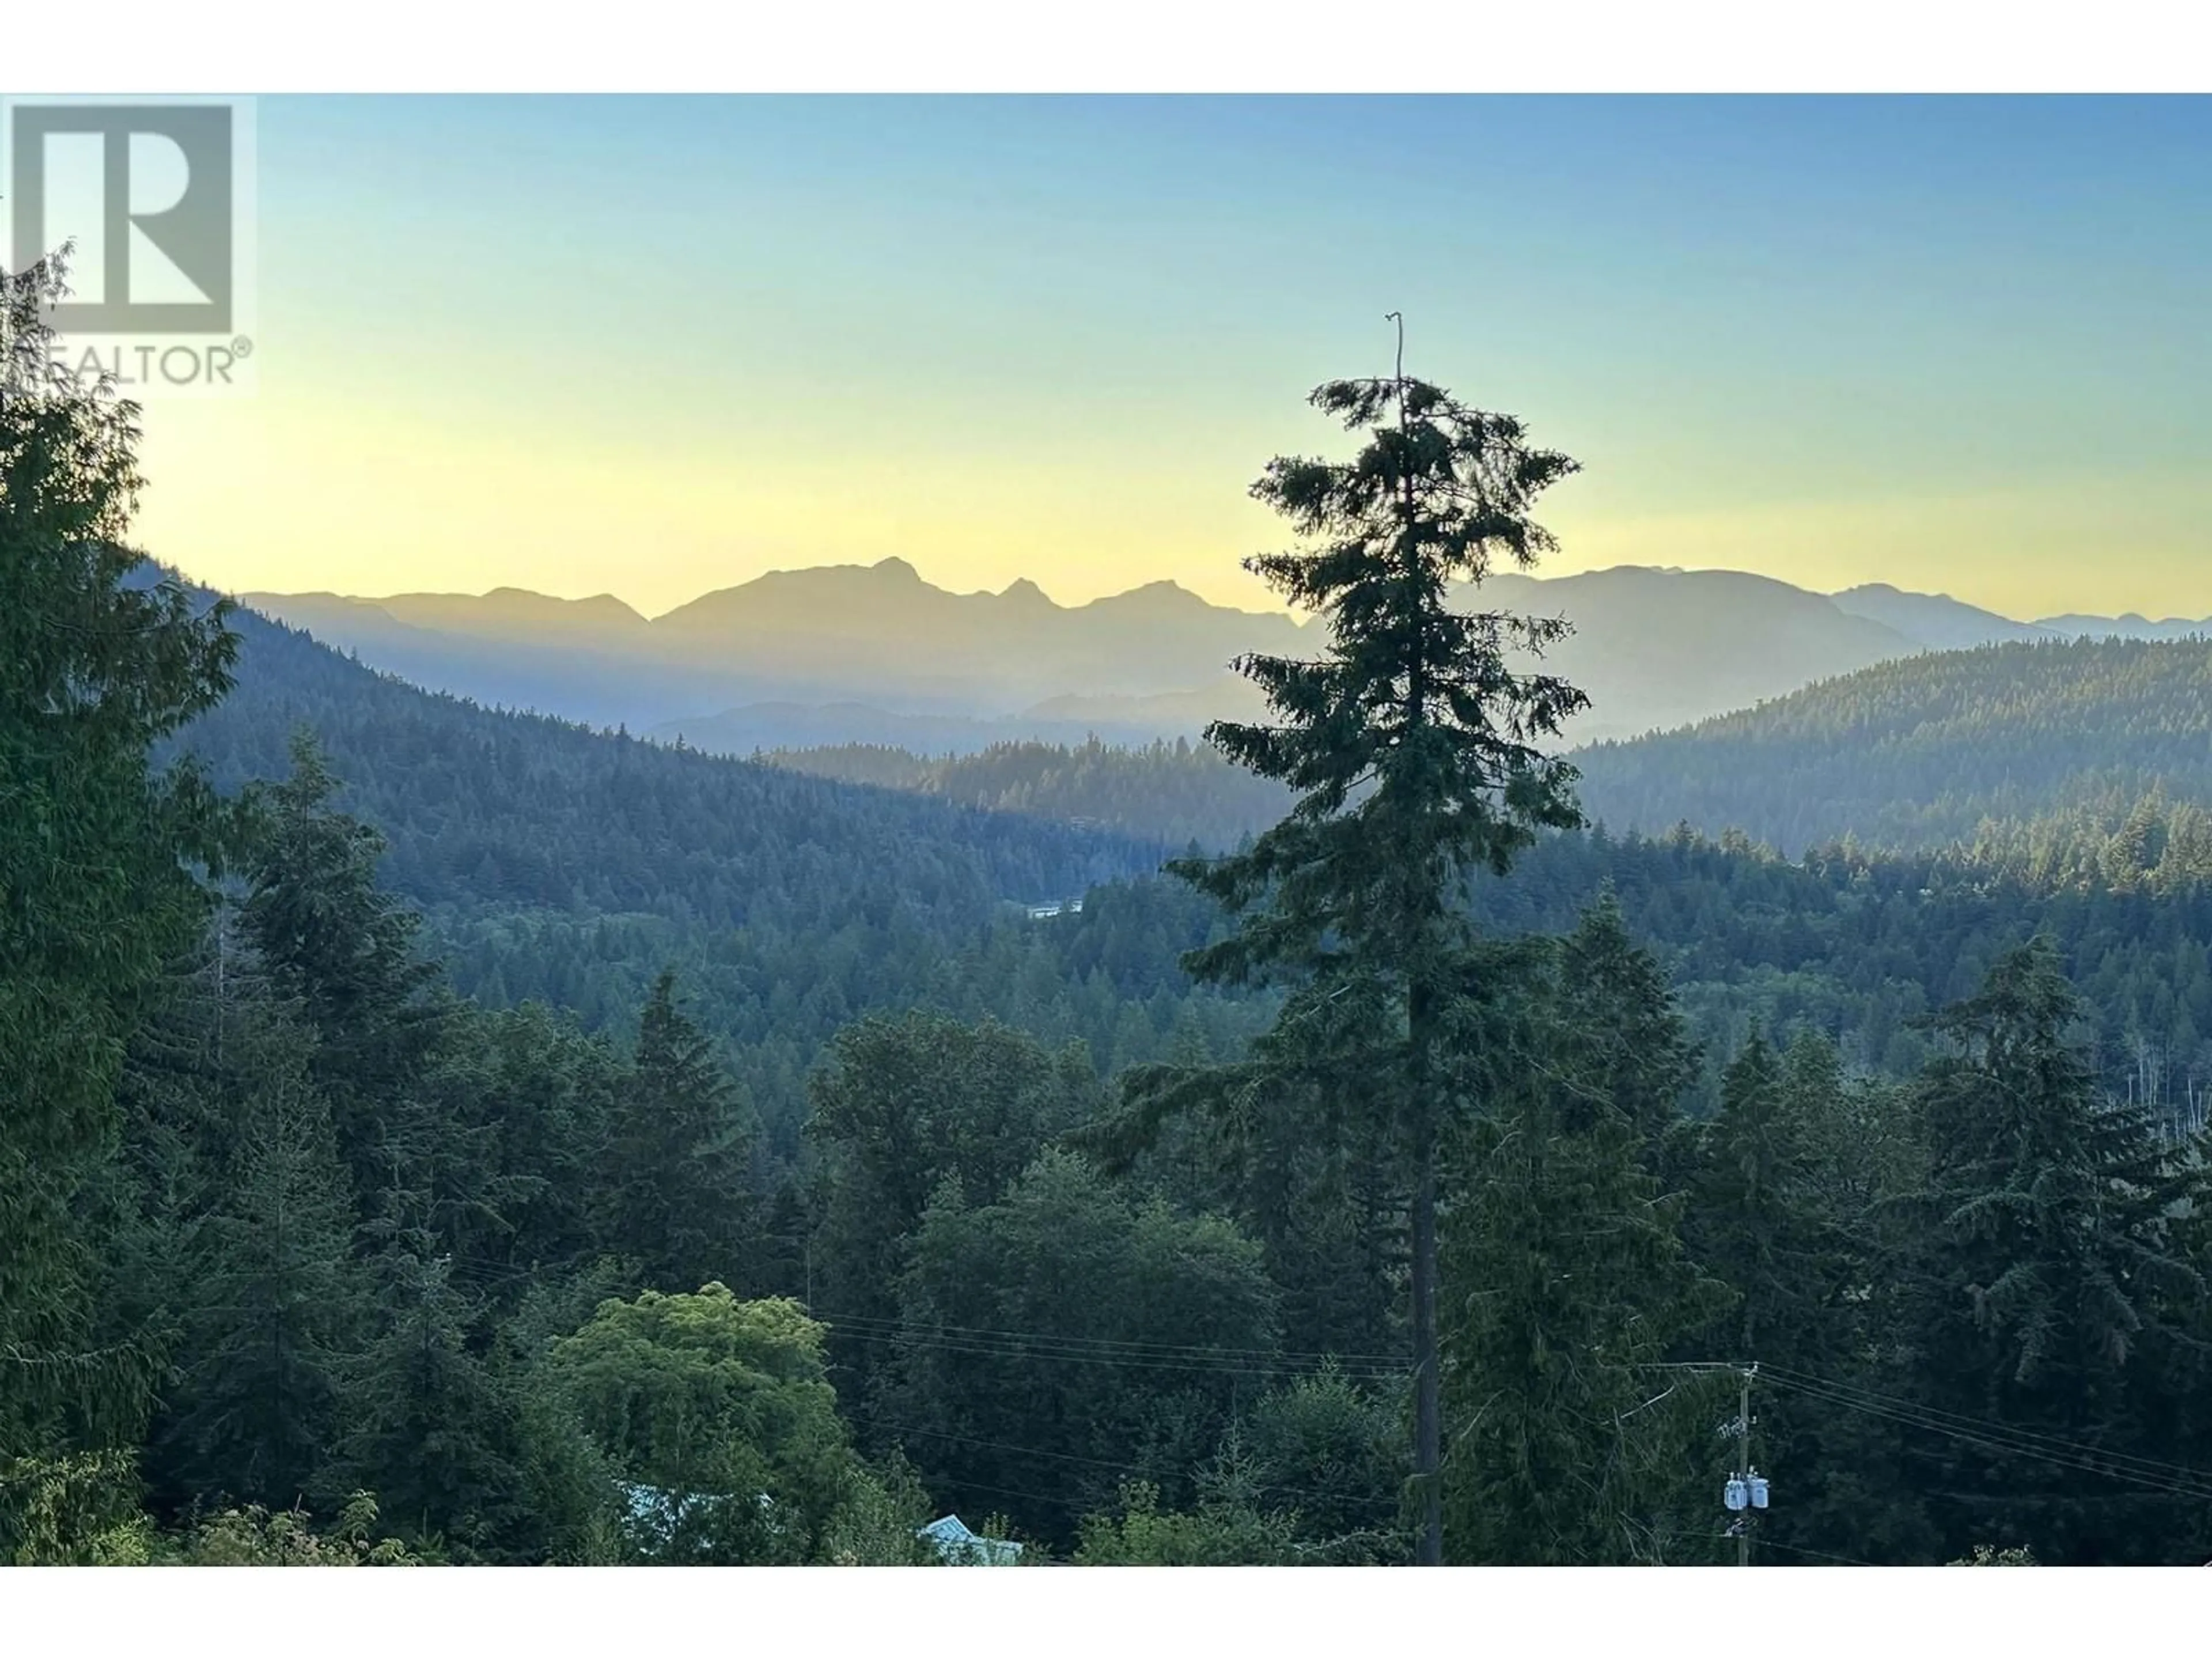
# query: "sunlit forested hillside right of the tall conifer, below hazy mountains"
{"type": "Point", "coordinates": [1921, 753]}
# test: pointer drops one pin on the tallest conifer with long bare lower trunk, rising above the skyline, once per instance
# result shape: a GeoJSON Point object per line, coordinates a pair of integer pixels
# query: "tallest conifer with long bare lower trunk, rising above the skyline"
{"type": "Point", "coordinates": [1415, 751]}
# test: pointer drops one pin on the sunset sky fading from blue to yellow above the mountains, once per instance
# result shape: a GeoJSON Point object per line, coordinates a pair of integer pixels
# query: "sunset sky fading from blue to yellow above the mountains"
{"type": "Point", "coordinates": [662, 346]}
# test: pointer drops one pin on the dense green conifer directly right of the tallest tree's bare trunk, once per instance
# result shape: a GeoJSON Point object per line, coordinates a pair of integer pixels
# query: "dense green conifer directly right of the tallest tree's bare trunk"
{"type": "Point", "coordinates": [1567, 1282]}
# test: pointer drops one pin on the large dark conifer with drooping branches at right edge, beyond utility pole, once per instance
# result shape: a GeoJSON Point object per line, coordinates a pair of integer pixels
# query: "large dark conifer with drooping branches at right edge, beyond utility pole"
{"type": "Point", "coordinates": [2052, 1284]}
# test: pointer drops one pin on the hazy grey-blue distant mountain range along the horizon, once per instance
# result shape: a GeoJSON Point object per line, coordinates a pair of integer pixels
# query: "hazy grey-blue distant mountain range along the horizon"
{"type": "Point", "coordinates": [879, 656]}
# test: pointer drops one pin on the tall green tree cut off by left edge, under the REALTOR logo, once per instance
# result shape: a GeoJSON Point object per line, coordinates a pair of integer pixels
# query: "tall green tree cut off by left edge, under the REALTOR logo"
{"type": "Point", "coordinates": [96, 669]}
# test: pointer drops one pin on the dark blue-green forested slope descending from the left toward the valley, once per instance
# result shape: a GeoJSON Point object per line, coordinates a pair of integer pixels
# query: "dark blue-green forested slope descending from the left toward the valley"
{"type": "Point", "coordinates": [497, 806]}
